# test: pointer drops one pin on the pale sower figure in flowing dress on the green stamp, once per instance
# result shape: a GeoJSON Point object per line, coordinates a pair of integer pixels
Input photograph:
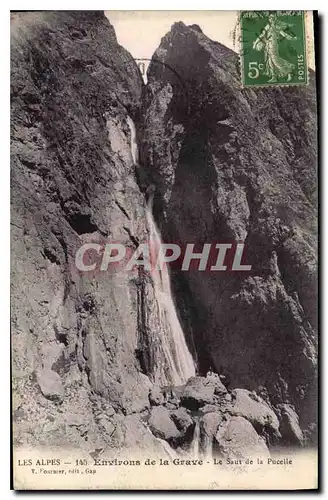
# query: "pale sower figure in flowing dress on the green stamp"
{"type": "Point", "coordinates": [276, 66]}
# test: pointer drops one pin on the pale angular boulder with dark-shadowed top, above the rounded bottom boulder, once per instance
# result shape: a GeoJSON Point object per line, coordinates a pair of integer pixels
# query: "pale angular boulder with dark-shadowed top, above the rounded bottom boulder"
{"type": "Point", "coordinates": [250, 406]}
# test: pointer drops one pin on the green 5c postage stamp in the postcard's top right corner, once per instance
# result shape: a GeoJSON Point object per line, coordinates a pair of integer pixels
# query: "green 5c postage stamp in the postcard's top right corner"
{"type": "Point", "coordinates": [273, 48]}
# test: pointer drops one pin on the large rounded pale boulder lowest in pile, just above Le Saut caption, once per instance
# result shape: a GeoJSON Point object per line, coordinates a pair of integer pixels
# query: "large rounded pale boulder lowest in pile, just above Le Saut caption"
{"type": "Point", "coordinates": [236, 438]}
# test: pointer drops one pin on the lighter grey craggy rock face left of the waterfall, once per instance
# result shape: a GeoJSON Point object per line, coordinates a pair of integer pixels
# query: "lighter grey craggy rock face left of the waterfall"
{"type": "Point", "coordinates": [73, 181]}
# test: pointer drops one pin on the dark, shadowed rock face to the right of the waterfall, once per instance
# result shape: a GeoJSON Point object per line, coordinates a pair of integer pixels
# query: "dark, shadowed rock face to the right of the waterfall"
{"type": "Point", "coordinates": [232, 164]}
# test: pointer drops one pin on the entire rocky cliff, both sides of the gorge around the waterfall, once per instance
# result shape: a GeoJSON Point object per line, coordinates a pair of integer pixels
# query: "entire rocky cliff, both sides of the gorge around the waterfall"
{"type": "Point", "coordinates": [228, 164]}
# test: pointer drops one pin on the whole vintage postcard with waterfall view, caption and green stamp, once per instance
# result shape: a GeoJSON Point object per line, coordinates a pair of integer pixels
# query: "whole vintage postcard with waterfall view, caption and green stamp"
{"type": "Point", "coordinates": [164, 250]}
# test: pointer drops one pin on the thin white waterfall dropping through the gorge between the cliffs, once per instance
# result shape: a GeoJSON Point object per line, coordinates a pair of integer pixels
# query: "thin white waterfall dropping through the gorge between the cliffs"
{"type": "Point", "coordinates": [176, 365]}
